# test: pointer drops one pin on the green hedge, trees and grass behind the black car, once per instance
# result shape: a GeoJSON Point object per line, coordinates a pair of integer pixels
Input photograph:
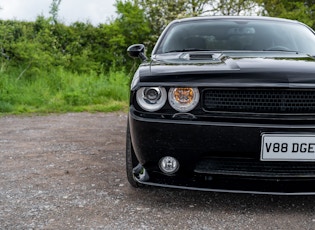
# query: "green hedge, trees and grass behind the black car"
{"type": "Point", "coordinates": [47, 66]}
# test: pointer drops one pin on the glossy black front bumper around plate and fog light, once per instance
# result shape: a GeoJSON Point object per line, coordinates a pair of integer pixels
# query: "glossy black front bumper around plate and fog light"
{"type": "Point", "coordinates": [217, 156]}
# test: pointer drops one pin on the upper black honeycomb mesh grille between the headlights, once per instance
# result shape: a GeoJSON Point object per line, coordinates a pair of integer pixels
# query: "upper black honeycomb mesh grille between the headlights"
{"type": "Point", "coordinates": [260, 100]}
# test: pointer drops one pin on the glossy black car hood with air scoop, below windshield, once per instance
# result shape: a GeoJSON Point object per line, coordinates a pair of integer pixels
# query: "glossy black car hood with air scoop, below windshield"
{"type": "Point", "coordinates": [232, 67]}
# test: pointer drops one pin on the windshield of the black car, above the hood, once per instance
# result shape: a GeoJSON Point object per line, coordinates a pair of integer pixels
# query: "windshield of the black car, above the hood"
{"type": "Point", "coordinates": [237, 35]}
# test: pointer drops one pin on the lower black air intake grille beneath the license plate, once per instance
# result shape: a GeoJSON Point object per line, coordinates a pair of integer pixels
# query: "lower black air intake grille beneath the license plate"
{"type": "Point", "coordinates": [245, 167]}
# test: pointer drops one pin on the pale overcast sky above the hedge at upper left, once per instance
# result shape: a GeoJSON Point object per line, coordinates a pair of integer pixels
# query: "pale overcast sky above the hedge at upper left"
{"type": "Point", "coordinates": [94, 11]}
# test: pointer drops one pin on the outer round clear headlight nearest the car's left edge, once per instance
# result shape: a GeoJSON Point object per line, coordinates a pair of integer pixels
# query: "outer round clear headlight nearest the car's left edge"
{"type": "Point", "coordinates": [151, 98]}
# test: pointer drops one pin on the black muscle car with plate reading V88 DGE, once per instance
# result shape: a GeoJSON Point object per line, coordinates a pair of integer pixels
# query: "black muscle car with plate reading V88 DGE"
{"type": "Point", "coordinates": [225, 104]}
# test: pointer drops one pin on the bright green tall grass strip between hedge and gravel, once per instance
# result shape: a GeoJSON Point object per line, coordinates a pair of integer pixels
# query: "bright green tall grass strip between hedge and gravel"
{"type": "Point", "coordinates": [58, 90]}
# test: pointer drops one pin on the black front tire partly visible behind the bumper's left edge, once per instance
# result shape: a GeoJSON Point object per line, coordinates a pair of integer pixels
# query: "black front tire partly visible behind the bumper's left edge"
{"type": "Point", "coordinates": [131, 161]}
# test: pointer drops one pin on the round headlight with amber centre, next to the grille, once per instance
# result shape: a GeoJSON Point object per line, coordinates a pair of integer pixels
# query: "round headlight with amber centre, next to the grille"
{"type": "Point", "coordinates": [183, 99]}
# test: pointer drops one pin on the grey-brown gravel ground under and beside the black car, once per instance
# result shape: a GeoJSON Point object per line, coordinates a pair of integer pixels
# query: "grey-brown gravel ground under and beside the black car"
{"type": "Point", "coordinates": [68, 172]}
